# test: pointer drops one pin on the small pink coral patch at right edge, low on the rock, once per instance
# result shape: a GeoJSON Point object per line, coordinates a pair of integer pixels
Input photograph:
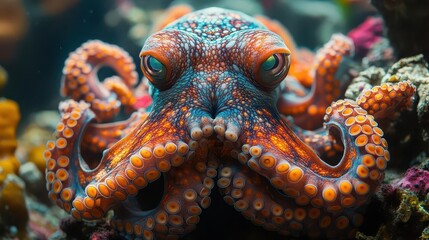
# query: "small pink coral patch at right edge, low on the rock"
{"type": "Point", "coordinates": [417, 180]}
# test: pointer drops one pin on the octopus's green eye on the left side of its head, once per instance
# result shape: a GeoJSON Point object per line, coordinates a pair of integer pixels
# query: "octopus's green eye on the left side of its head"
{"type": "Point", "coordinates": [155, 71]}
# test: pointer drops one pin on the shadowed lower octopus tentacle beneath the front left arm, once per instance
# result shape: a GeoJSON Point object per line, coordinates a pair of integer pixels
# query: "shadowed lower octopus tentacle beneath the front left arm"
{"type": "Point", "coordinates": [187, 191]}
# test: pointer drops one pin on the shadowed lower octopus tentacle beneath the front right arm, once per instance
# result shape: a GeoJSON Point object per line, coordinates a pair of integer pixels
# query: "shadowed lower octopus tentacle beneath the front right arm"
{"type": "Point", "coordinates": [266, 207]}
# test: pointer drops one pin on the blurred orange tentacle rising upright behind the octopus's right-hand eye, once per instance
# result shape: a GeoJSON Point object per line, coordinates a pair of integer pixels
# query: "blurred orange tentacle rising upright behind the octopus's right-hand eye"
{"type": "Point", "coordinates": [325, 87]}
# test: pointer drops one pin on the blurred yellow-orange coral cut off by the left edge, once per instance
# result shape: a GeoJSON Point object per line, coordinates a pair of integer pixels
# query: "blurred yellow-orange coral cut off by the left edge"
{"type": "Point", "coordinates": [9, 118]}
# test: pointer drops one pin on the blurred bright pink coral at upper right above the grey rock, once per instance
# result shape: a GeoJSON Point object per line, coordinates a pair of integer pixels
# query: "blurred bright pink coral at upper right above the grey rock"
{"type": "Point", "coordinates": [366, 34]}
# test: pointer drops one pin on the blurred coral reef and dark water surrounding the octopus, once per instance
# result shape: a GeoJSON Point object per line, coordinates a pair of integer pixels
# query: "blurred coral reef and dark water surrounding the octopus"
{"type": "Point", "coordinates": [391, 45]}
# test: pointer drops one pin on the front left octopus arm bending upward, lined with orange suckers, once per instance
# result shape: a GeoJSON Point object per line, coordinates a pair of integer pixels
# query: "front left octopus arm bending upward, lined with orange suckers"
{"type": "Point", "coordinates": [128, 165]}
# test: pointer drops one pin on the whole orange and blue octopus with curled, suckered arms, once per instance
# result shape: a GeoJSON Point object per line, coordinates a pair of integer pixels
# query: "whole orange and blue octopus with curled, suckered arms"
{"type": "Point", "coordinates": [220, 117]}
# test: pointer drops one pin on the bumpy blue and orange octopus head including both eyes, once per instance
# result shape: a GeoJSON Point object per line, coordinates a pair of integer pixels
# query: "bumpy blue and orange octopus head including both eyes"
{"type": "Point", "coordinates": [213, 72]}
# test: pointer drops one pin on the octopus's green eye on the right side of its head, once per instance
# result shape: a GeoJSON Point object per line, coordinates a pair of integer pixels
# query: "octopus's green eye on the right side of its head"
{"type": "Point", "coordinates": [274, 69]}
